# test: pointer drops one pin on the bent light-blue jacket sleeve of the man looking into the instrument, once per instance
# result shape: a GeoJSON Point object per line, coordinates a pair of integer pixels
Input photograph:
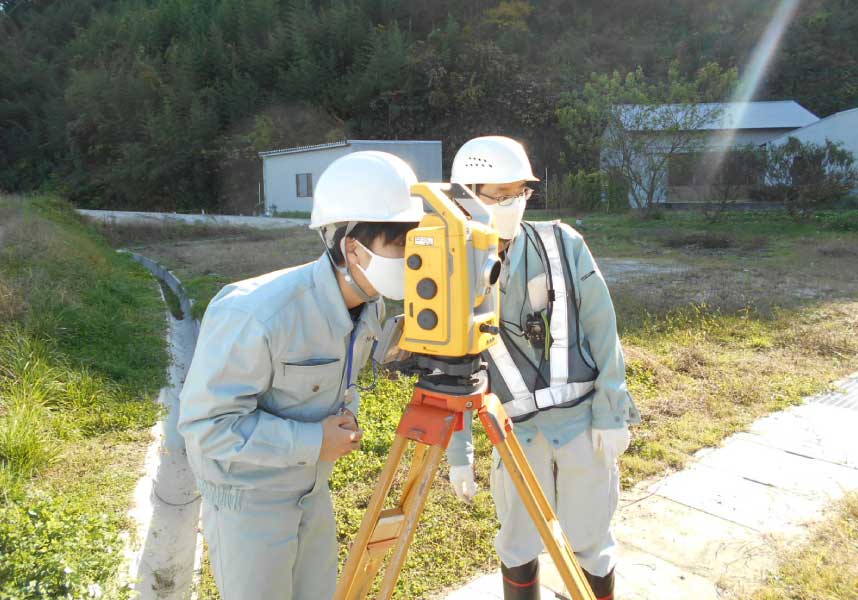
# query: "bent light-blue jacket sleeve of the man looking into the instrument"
{"type": "Point", "coordinates": [219, 414]}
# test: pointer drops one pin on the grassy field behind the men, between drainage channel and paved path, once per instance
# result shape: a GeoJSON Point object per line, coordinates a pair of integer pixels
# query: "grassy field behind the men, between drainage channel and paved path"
{"type": "Point", "coordinates": [721, 323]}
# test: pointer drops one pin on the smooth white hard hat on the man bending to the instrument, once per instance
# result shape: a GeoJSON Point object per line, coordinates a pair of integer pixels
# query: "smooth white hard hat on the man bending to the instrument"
{"type": "Point", "coordinates": [366, 186]}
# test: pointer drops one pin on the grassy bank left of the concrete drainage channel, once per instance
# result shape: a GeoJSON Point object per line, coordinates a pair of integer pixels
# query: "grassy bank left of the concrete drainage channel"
{"type": "Point", "coordinates": [82, 357]}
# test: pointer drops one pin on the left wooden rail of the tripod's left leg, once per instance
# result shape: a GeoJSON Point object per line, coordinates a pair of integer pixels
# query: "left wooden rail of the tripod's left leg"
{"type": "Point", "coordinates": [356, 578]}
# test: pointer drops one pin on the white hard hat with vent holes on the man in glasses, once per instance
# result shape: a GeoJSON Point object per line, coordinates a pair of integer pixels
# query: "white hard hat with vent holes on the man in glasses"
{"type": "Point", "coordinates": [491, 159]}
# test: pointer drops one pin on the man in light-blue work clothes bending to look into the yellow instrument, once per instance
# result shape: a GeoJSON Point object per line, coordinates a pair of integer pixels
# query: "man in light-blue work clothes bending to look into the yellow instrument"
{"type": "Point", "coordinates": [271, 398]}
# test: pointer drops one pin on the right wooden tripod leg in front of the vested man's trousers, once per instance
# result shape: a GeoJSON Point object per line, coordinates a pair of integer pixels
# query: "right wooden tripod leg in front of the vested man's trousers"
{"type": "Point", "coordinates": [538, 507]}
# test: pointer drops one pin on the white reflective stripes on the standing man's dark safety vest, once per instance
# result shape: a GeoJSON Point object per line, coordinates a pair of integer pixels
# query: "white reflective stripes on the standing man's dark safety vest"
{"type": "Point", "coordinates": [561, 391]}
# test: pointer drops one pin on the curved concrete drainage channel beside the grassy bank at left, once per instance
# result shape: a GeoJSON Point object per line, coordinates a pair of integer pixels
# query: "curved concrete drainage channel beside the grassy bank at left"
{"type": "Point", "coordinates": [166, 557]}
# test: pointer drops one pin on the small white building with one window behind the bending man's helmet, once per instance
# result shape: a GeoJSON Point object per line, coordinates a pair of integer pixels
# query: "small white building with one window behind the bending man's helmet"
{"type": "Point", "coordinates": [289, 176]}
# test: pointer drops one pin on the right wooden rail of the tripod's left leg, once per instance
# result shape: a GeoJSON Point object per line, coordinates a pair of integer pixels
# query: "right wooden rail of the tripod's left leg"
{"type": "Point", "coordinates": [413, 501]}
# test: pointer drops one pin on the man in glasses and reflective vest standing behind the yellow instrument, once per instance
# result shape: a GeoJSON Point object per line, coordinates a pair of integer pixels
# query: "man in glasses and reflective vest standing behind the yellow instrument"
{"type": "Point", "coordinates": [558, 370]}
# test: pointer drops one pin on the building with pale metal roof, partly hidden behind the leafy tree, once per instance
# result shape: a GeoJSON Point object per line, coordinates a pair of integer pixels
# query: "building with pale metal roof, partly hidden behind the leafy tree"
{"type": "Point", "coordinates": [717, 127]}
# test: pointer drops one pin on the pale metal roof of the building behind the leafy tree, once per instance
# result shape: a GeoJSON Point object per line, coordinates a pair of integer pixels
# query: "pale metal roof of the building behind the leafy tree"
{"type": "Point", "coordinates": [781, 114]}
